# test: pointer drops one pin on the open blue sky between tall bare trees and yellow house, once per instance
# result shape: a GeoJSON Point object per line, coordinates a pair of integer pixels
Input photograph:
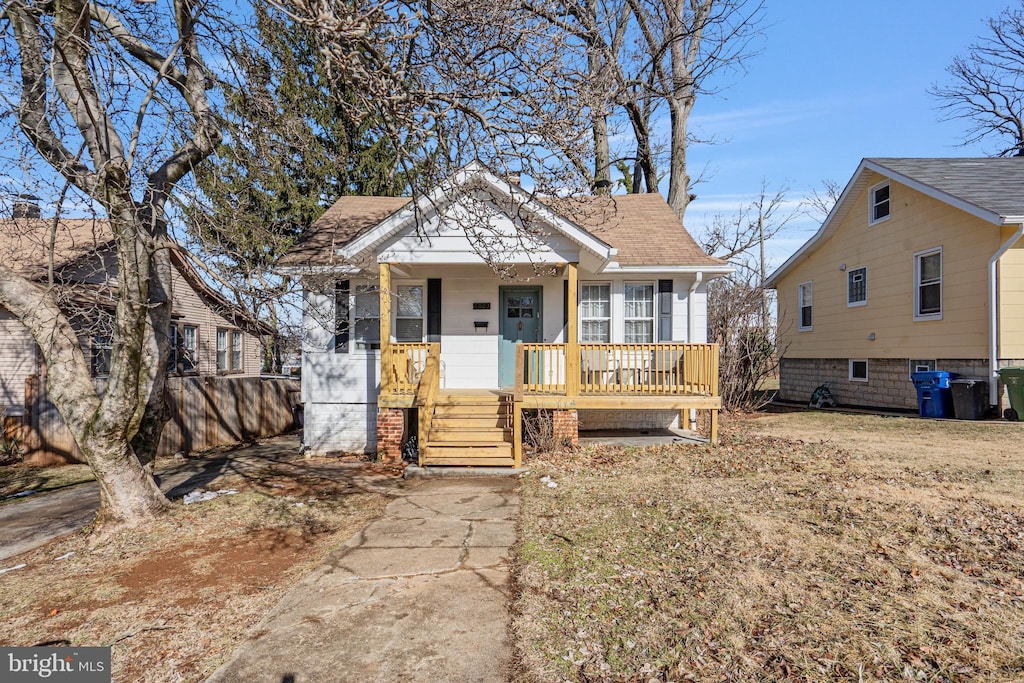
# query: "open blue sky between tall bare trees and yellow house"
{"type": "Point", "coordinates": [837, 81]}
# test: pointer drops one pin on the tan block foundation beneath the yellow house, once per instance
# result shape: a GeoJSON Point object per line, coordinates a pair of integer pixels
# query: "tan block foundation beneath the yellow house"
{"type": "Point", "coordinates": [888, 382]}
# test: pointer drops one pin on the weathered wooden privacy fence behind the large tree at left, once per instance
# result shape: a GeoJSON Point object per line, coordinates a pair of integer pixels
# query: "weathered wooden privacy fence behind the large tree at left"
{"type": "Point", "coordinates": [205, 412]}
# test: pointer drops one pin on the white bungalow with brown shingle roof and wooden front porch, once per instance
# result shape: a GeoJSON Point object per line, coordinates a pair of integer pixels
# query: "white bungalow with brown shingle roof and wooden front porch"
{"type": "Point", "coordinates": [481, 301]}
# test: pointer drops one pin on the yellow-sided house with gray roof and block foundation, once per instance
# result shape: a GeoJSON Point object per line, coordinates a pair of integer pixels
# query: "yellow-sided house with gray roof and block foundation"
{"type": "Point", "coordinates": [919, 267]}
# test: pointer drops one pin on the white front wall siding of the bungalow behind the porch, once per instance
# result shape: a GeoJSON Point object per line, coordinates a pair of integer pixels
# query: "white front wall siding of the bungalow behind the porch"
{"type": "Point", "coordinates": [340, 390]}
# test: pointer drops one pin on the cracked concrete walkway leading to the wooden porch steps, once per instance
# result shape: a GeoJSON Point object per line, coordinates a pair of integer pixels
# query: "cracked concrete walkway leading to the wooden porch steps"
{"type": "Point", "coordinates": [419, 595]}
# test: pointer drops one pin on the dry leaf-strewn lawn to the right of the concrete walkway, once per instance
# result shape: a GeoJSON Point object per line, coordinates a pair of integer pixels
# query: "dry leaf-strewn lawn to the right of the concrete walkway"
{"type": "Point", "coordinates": [809, 546]}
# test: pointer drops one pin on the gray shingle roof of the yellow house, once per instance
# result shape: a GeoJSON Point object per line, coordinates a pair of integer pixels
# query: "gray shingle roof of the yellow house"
{"type": "Point", "coordinates": [991, 185]}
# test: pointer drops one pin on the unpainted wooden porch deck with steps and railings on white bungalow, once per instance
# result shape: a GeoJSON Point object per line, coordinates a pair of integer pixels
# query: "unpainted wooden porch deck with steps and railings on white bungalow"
{"type": "Point", "coordinates": [484, 428]}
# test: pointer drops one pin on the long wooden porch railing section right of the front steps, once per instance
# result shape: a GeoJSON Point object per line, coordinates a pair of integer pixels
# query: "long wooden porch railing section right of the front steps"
{"type": "Point", "coordinates": [652, 370]}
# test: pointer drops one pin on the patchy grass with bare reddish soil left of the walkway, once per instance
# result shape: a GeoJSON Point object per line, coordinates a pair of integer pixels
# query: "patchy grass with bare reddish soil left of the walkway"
{"type": "Point", "coordinates": [177, 599]}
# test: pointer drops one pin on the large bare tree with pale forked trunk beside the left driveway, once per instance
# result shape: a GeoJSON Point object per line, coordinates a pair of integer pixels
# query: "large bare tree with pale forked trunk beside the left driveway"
{"type": "Point", "coordinates": [69, 101]}
